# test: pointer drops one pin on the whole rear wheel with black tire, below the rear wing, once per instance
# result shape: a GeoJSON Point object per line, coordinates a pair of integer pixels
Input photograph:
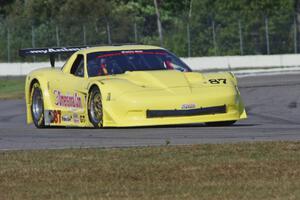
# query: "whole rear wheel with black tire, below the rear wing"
{"type": "Point", "coordinates": [37, 105]}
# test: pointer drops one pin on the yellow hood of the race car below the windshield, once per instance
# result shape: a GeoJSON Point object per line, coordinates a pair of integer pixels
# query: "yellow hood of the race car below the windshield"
{"type": "Point", "coordinates": [166, 80]}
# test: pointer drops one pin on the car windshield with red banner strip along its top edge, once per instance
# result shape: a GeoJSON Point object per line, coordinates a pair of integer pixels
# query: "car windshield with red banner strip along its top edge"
{"type": "Point", "coordinates": [118, 62]}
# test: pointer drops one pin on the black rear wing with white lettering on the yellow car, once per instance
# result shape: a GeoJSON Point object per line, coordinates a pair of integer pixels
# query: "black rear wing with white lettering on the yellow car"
{"type": "Point", "coordinates": [51, 52]}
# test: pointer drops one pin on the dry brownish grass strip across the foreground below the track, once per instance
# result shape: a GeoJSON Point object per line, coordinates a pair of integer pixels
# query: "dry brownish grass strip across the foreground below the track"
{"type": "Point", "coordinates": [268, 170]}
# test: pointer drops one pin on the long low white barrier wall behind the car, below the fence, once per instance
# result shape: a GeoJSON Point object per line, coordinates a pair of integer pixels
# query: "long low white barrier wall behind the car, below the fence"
{"type": "Point", "coordinates": [255, 63]}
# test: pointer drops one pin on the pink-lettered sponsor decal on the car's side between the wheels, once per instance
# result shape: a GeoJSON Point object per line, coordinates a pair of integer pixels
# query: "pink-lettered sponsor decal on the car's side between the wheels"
{"type": "Point", "coordinates": [71, 101]}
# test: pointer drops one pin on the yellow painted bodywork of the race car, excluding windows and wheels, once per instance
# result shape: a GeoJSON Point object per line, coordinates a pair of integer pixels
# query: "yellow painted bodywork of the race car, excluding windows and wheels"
{"type": "Point", "coordinates": [127, 97]}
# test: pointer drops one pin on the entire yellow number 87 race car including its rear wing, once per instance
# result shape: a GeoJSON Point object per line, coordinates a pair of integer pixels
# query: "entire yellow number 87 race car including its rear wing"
{"type": "Point", "coordinates": [127, 85]}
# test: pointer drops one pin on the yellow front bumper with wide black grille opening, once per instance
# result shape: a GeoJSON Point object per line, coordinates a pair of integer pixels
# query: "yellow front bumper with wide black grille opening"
{"type": "Point", "coordinates": [165, 108]}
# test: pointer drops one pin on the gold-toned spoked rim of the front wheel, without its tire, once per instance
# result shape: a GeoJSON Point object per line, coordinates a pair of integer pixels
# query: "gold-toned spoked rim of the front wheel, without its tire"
{"type": "Point", "coordinates": [96, 108]}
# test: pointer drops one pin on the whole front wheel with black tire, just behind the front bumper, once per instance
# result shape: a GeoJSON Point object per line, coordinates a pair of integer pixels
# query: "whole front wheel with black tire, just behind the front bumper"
{"type": "Point", "coordinates": [95, 110]}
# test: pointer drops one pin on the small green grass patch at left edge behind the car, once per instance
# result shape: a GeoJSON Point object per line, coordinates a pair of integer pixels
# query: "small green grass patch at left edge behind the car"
{"type": "Point", "coordinates": [12, 87]}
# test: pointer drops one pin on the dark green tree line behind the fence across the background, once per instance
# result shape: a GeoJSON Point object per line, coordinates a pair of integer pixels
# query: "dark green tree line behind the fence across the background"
{"type": "Point", "coordinates": [189, 27]}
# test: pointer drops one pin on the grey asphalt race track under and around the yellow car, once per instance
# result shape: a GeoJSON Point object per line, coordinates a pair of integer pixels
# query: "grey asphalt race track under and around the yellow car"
{"type": "Point", "coordinates": [272, 103]}
